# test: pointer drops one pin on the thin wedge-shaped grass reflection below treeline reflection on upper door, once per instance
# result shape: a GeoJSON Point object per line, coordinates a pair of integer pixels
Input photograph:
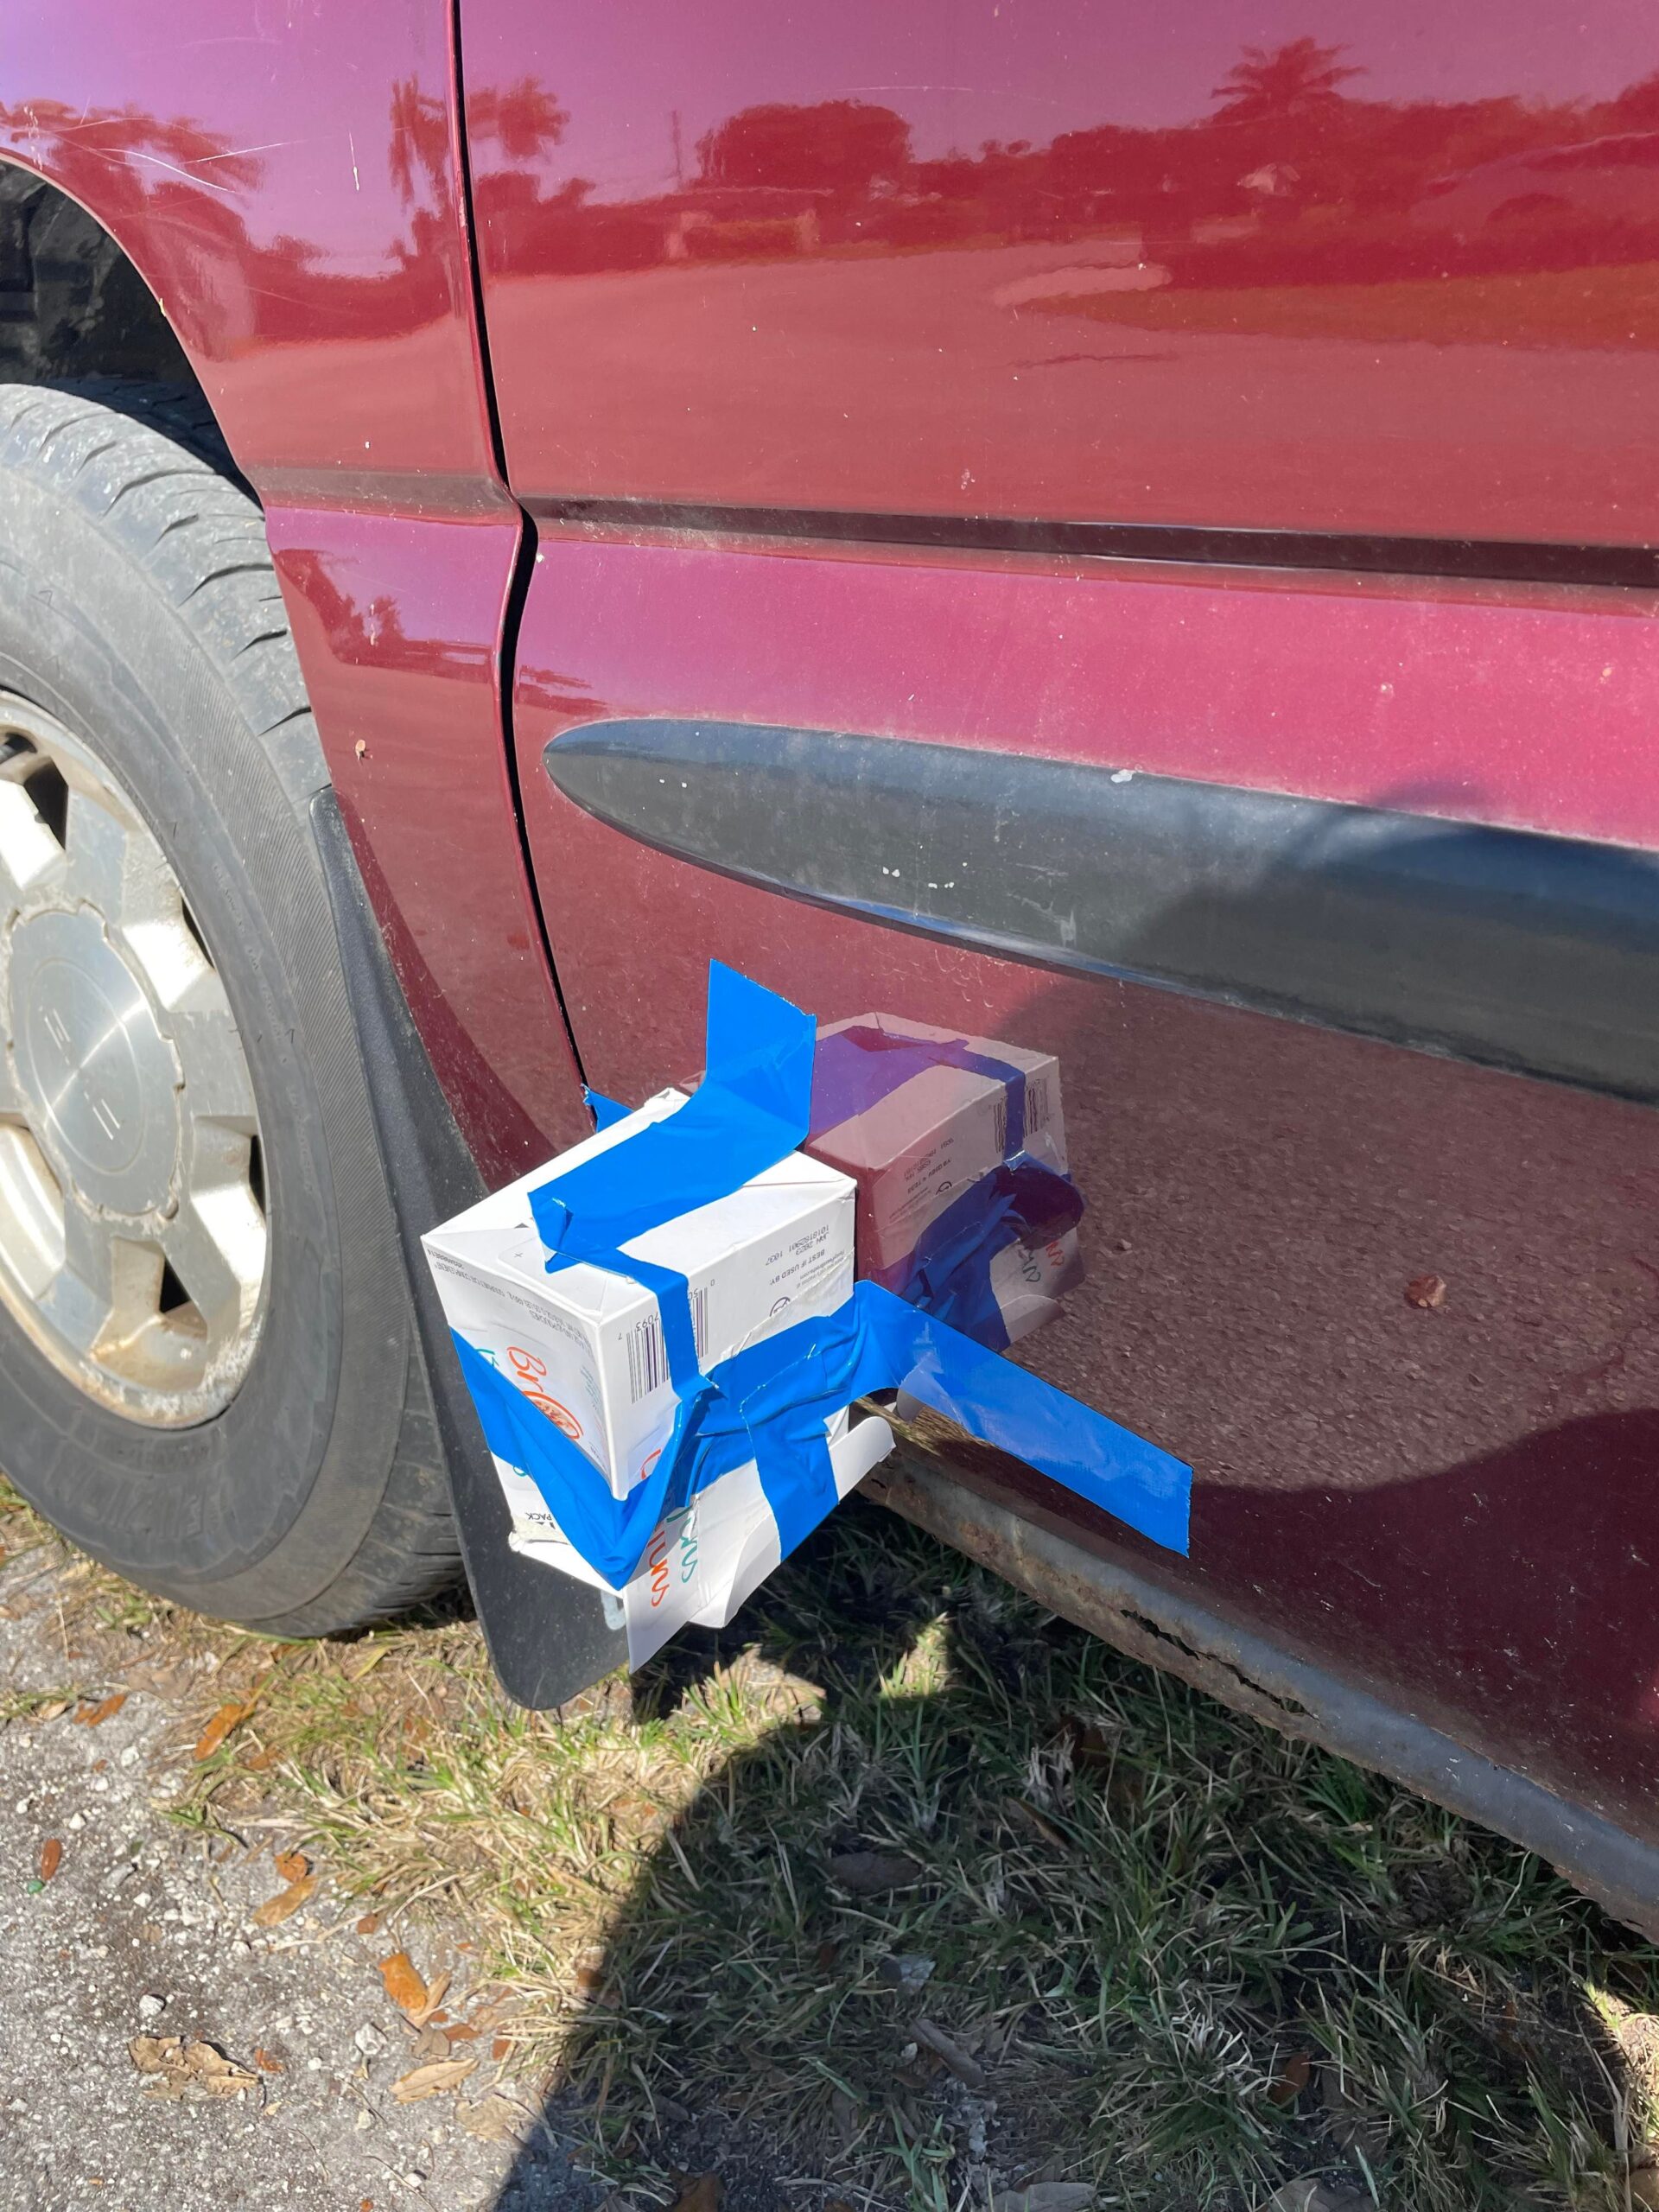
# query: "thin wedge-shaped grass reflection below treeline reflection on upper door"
{"type": "Point", "coordinates": [1614, 306]}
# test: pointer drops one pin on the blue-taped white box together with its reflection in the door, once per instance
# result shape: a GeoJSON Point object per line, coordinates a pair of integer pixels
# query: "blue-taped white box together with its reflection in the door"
{"type": "Point", "coordinates": [665, 1333]}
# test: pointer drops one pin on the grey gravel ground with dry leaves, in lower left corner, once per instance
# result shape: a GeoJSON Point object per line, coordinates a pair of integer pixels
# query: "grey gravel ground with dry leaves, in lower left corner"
{"type": "Point", "coordinates": [145, 1934]}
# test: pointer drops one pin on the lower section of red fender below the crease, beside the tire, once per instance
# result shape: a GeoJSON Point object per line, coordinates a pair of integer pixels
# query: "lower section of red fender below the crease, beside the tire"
{"type": "Point", "coordinates": [397, 623]}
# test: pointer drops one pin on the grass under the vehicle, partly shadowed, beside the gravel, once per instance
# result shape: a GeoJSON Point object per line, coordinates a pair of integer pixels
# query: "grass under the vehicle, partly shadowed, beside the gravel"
{"type": "Point", "coordinates": [1173, 1954]}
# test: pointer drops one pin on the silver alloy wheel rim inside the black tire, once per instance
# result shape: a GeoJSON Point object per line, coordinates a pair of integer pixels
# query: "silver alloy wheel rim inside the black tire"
{"type": "Point", "coordinates": [132, 1209]}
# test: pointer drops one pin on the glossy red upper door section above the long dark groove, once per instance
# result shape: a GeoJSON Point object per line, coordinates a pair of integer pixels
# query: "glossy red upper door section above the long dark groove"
{"type": "Point", "coordinates": [1344, 269]}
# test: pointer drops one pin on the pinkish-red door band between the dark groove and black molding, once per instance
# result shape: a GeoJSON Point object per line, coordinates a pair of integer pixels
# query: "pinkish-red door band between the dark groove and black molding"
{"type": "Point", "coordinates": [1519, 707]}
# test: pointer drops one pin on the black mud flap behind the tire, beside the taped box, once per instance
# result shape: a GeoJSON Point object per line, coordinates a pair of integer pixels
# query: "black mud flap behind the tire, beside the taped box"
{"type": "Point", "coordinates": [547, 1636]}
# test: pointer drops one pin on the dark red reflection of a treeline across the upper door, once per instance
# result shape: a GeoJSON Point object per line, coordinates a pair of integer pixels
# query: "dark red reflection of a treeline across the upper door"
{"type": "Point", "coordinates": [1293, 178]}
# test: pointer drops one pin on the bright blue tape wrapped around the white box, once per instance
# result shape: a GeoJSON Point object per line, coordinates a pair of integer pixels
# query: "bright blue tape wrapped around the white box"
{"type": "Point", "coordinates": [771, 1401]}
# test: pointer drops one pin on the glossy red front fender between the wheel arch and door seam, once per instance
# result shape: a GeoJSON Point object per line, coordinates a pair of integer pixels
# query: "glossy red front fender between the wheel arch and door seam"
{"type": "Point", "coordinates": [286, 182]}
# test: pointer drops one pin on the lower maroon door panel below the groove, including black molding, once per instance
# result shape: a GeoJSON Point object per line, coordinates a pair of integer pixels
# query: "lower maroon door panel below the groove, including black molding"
{"type": "Point", "coordinates": [1441, 1492]}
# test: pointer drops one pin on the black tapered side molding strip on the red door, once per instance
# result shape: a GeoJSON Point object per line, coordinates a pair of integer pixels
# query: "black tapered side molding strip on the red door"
{"type": "Point", "coordinates": [1496, 946]}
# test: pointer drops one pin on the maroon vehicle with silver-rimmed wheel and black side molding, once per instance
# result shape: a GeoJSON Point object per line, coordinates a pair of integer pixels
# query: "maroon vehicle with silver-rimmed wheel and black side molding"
{"type": "Point", "coordinates": [1118, 532]}
